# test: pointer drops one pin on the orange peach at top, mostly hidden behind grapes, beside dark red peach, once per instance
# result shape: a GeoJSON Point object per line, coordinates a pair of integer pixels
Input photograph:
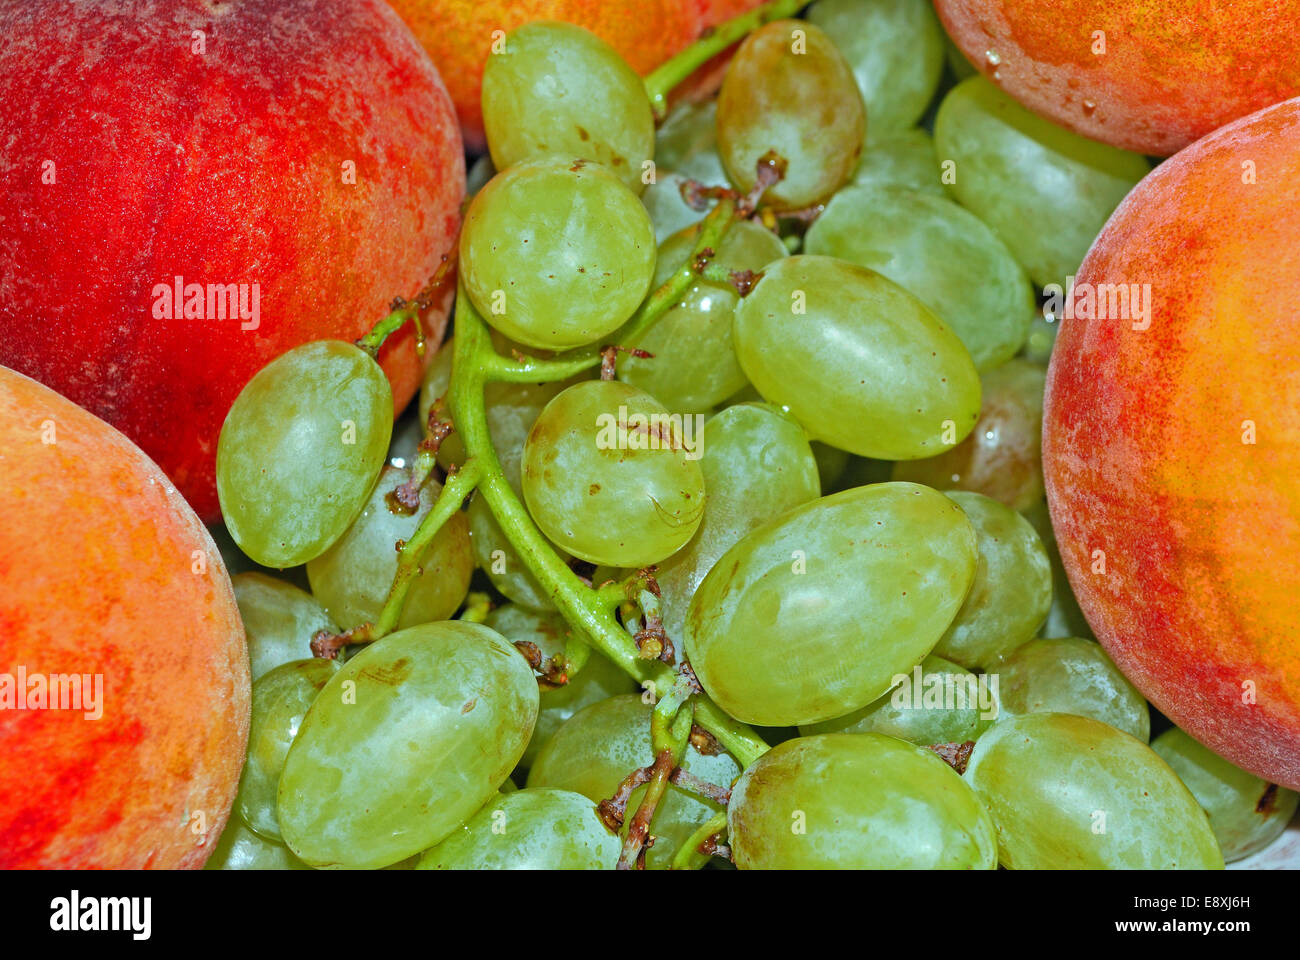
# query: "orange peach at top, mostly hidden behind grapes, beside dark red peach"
{"type": "Point", "coordinates": [460, 36]}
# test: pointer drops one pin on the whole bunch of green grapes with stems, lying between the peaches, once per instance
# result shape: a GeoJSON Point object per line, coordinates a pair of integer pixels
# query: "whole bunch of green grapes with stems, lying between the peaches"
{"type": "Point", "coordinates": [727, 499]}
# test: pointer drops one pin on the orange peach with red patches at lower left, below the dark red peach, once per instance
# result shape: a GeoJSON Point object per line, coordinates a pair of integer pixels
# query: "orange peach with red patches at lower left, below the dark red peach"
{"type": "Point", "coordinates": [106, 570]}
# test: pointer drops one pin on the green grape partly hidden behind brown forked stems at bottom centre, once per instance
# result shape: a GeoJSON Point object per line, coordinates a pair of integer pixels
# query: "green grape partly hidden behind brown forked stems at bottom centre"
{"type": "Point", "coordinates": [601, 745]}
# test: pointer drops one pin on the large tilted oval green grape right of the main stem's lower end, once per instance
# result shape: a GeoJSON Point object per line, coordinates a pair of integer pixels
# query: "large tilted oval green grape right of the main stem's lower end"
{"type": "Point", "coordinates": [813, 615]}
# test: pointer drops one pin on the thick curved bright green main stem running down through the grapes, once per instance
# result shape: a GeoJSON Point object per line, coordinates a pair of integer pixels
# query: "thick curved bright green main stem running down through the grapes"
{"type": "Point", "coordinates": [590, 611]}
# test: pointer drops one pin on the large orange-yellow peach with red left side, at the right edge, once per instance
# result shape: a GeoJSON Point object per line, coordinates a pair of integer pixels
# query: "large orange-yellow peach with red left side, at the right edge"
{"type": "Point", "coordinates": [1147, 448]}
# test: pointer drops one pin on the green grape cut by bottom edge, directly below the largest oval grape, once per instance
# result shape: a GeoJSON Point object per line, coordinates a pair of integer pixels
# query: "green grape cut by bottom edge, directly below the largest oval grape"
{"type": "Point", "coordinates": [863, 802]}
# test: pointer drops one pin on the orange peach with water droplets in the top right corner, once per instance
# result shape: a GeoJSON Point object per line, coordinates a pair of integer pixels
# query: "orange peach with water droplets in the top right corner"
{"type": "Point", "coordinates": [1173, 71]}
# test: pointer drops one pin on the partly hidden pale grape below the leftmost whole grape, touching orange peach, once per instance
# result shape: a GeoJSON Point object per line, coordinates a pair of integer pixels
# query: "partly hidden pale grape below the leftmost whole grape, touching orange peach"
{"type": "Point", "coordinates": [280, 621]}
